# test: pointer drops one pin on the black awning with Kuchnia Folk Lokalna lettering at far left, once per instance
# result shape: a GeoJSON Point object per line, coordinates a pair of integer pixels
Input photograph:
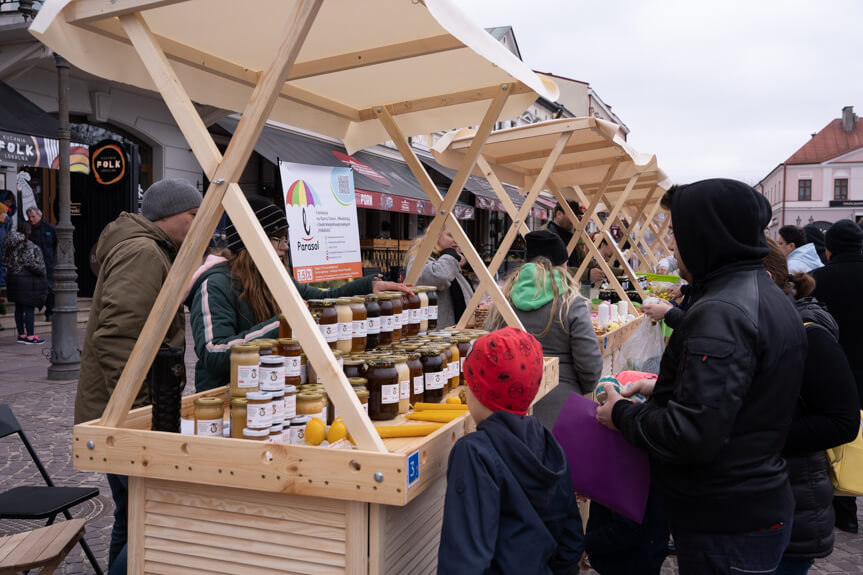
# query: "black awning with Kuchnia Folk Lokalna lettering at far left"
{"type": "Point", "coordinates": [28, 135]}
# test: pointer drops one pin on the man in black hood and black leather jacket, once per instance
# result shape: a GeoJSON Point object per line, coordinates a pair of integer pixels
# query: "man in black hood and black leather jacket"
{"type": "Point", "coordinates": [729, 379]}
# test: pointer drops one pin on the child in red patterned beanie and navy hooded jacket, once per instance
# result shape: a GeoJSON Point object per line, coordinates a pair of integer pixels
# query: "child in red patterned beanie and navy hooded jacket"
{"type": "Point", "coordinates": [510, 505]}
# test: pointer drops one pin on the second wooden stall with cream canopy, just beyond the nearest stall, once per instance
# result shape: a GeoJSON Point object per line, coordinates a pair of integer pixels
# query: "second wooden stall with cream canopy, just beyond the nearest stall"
{"type": "Point", "coordinates": [583, 159]}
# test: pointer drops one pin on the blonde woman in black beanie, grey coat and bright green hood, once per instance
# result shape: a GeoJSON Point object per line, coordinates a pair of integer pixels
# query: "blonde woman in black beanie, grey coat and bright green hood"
{"type": "Point", "coordinates": [550, 308]}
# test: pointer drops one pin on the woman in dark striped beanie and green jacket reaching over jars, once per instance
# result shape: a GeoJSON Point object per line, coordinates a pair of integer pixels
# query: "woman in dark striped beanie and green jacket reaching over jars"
{"type": "Point", "coordinates": [230, 303]}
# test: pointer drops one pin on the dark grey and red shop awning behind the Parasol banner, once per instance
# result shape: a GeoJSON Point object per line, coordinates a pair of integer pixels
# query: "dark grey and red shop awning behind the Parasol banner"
{"type": "Point", "coordinates": [380, 183]}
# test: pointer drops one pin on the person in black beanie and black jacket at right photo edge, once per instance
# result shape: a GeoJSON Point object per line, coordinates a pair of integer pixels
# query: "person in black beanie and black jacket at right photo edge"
{"type": "Point", "coordinates": [839, 285]}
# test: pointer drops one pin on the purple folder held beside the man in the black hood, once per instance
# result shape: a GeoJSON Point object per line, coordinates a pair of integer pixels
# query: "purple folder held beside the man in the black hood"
{"type": "Point", "coordinates": [603, 466]}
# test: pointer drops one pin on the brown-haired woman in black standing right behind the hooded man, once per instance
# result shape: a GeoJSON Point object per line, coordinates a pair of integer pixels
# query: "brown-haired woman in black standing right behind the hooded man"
{"type": "Point", "coordinates": [826, 416]}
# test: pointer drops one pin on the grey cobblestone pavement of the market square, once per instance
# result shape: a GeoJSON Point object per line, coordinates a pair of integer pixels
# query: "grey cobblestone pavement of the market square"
{"type": "Point", "coordinates": [45, 409]}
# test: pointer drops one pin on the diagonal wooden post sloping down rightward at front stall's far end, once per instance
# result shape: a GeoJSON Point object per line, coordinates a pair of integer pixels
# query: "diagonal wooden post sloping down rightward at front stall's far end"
{"type": "Point", "coordinates": [435, 198]}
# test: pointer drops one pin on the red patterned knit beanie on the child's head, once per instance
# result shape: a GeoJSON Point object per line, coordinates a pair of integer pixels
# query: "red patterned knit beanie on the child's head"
{"type": "Point", "coordinates": [504, 370]}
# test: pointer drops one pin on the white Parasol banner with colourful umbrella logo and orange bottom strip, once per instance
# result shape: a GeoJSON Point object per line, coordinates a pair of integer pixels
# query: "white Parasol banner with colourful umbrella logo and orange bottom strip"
{"type": "Point", "coordinates": [321, 209]}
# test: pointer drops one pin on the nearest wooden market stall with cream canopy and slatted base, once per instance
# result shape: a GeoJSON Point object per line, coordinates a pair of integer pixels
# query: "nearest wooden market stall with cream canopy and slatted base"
{"type": "Point", "coordinates": [363, 72]}
